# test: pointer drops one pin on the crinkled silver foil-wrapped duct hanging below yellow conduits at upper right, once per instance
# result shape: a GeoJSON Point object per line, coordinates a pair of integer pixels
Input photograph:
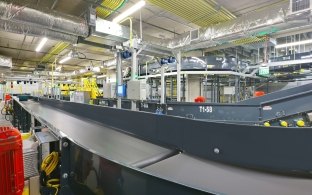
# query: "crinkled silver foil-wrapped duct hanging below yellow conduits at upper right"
{"type": "Point", "coordinates": [229, 31]}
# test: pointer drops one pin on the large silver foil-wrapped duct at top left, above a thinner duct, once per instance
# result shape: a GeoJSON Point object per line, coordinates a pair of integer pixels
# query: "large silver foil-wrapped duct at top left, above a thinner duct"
{"type": "Point", "coordinates": [47, 19]}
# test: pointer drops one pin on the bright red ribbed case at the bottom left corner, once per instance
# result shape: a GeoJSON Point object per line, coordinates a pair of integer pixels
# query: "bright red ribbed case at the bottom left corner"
{"type": "Point", "coordinates": [11, 162]}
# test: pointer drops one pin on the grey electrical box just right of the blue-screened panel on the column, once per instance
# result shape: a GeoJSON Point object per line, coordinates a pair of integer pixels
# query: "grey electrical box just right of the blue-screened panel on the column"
{"type": "Point", "coordinates": [136, 90]}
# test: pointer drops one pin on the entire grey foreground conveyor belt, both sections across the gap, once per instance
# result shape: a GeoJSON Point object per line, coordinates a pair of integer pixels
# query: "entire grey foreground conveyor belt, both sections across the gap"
{"type": "Point", "coordinates": [181, 168]}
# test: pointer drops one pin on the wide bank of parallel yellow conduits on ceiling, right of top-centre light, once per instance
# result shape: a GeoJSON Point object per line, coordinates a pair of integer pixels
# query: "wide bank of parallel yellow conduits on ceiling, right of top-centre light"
{"type": "Point", "coordinates": [201, 12]}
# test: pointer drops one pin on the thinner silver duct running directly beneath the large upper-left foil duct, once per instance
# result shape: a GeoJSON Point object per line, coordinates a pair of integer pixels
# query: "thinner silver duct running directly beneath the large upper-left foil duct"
{"type": "Point", "coordinates": [34, 30]}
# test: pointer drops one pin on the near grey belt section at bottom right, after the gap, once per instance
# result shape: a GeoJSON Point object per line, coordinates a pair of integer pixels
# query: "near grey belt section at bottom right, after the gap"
{"type": "Point", "coordinates": [223, 179]}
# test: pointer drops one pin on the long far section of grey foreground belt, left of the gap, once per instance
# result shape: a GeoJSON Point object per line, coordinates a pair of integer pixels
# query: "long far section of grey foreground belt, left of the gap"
{"type": "Point", "coordinates": [104, 141]}
